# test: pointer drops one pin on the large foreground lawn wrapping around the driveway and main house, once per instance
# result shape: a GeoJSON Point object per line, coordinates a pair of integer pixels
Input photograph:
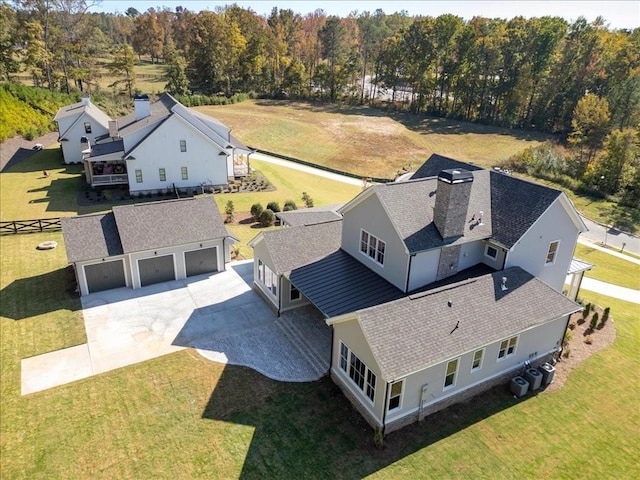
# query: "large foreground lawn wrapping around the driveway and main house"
{"type": "Point", "coordinates": [180, 416]}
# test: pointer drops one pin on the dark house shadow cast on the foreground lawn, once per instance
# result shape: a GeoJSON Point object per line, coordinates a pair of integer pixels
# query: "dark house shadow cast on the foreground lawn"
{"type": "Point", "coordinates": [310, 430]}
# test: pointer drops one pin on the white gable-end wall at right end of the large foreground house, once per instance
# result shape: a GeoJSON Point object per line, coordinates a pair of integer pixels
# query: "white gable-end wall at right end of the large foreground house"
{"type": "Point", "coordinates": [530, 252]}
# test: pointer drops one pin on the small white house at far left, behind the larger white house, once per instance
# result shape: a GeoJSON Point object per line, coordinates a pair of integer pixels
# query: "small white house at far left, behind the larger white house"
{"type": "Point", "coordinates": [78, 126]}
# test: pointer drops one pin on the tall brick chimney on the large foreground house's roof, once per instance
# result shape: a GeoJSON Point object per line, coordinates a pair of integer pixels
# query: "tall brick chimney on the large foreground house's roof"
{"type": "Point", "coordinates": [452, 202]}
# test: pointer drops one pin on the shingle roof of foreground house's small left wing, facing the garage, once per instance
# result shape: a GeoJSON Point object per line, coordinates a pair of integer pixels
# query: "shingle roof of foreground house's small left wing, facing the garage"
{"type": "Point", "coordinates": [294, 247]}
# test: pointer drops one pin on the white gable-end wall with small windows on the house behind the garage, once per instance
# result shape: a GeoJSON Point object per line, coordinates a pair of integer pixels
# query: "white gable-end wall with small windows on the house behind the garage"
{"type": "Point", "coordinates": [162, 150]}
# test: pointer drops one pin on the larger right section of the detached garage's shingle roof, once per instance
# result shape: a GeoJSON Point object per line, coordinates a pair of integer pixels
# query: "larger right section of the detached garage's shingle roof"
{"type": "Point", "coordinates": [146, 226]}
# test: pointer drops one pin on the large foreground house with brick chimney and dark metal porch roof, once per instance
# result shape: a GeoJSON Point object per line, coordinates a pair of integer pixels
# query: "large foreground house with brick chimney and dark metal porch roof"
{"type": "Point", "coordinates": [436, 288]}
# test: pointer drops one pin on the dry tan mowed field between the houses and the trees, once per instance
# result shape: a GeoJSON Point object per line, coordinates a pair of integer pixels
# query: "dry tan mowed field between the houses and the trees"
{"type": "Point", "coordinates": [362, 140]}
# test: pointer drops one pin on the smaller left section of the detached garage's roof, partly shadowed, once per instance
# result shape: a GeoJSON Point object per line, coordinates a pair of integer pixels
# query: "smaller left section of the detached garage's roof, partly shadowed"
{"type": "Point", "coordinates": [89, 237]}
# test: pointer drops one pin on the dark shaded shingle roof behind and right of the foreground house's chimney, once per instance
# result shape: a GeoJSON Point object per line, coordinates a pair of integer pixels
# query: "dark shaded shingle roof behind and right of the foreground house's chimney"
{"type": "Point", "coordinates": [516, 204]}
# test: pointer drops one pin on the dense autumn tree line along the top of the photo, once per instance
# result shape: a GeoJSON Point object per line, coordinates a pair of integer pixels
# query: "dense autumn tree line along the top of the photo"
{"type": "Point", "coordinates": [580, 80]}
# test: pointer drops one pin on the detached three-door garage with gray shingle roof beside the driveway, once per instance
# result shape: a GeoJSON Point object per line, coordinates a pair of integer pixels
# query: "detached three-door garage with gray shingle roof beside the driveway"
{"type": "Point", "coordinates": [142, 244]}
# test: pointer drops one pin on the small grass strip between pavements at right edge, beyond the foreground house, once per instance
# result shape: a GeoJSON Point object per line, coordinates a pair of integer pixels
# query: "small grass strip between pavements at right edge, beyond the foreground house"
{"type": "Point", "coordinates": [609, 268]}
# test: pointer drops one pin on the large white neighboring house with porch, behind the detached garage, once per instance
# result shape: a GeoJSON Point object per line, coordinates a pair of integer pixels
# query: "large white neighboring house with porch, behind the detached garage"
{"type": "Point", "coordinates": [161, 146]}
